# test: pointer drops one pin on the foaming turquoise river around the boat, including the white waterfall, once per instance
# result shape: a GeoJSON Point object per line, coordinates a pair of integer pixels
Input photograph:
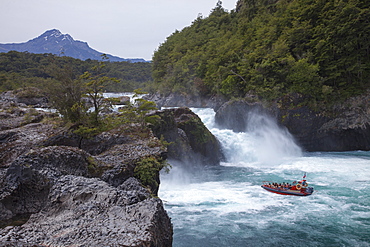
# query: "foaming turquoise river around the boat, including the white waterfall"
{"type": "Point", "coordinates": [225, 205]}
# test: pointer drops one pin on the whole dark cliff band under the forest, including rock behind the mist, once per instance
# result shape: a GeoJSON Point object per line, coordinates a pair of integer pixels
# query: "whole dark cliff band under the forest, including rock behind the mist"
{"type": "Point", "coordinates": [343, 127]}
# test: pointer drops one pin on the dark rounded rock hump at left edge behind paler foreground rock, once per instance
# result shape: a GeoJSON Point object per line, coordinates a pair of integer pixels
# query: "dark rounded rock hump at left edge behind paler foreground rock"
{"type": "Point", "coordinates": [26, 184]}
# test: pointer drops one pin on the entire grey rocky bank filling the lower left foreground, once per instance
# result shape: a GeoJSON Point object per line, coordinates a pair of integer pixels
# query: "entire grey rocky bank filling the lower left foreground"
{"type": "Point", "coordinates": [59, 190]}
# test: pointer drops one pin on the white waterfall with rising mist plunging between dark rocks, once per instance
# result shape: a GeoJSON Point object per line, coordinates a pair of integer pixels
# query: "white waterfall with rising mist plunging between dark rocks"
{"type": "Point", "coordinates": [262, 143]}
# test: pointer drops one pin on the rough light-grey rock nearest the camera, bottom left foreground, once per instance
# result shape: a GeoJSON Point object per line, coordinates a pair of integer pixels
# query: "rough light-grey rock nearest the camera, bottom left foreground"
{"type": "Point", "coordinates": [88, 212]}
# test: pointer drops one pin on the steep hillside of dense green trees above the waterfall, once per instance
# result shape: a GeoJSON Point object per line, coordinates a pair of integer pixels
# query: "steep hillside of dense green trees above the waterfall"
{"type": "Point", "coordinates": [317, 48]}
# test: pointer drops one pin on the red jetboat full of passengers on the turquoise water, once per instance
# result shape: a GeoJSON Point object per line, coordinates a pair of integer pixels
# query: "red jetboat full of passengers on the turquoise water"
{"type": "Point", "coordinates": [295, 189]}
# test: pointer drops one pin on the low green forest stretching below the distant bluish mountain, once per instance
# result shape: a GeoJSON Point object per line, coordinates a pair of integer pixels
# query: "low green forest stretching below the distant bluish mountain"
{"type": "Point", "coordinates": [22, 69]}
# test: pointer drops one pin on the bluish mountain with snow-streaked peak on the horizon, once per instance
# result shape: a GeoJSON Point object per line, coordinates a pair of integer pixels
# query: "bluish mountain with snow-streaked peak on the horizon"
{"type": "Point", "coordinates": [53, 41]}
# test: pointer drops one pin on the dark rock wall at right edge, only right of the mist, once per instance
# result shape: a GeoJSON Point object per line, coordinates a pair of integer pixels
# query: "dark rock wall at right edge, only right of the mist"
{"type": "Point", "coordinates": [344, 127]}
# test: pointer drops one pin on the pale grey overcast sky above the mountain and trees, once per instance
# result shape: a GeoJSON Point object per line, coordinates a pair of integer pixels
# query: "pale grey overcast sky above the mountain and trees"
{"type": "Point", "coordinates": [123, 28]}
